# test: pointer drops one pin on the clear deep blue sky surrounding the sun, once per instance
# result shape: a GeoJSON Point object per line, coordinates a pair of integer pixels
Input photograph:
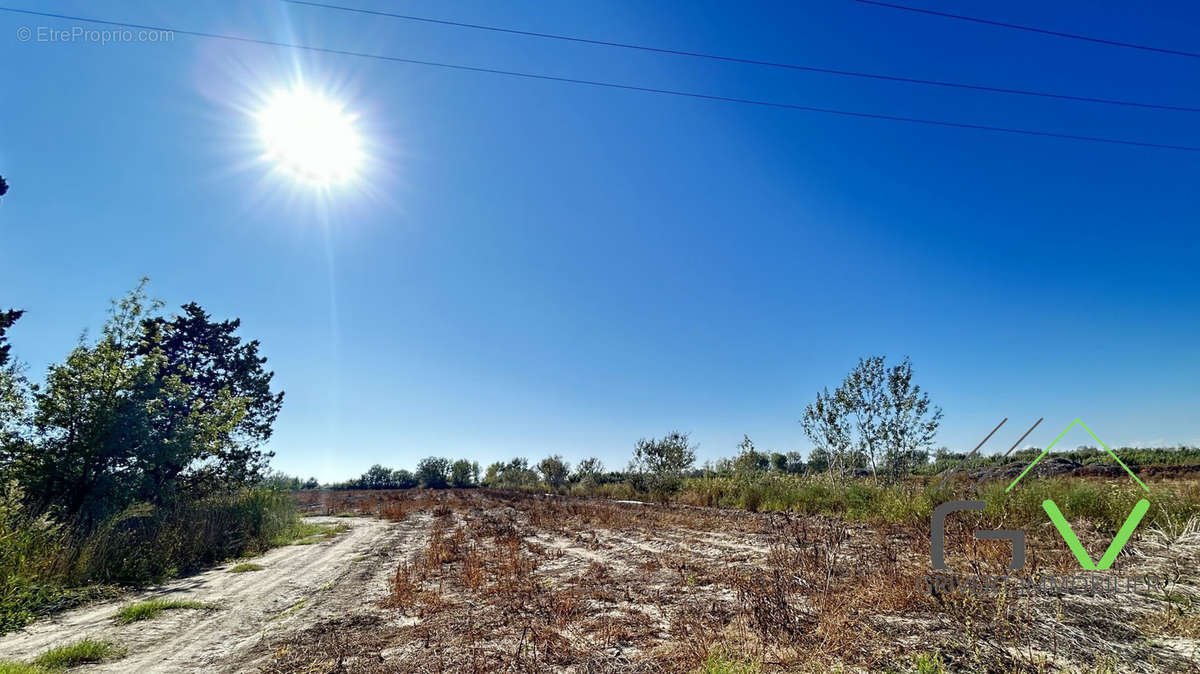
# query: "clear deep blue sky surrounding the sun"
{"type": "Point", "coordinates": [530, 268]}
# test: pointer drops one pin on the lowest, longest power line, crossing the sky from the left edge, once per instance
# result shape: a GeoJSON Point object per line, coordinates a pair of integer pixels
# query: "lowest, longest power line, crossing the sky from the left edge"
{"type": "Point", "coordinates": [615, 86]}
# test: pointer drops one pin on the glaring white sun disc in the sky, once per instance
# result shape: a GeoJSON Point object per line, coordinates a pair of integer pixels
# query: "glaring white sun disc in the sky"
{"type": "Point", "coordinates": [310, 137]}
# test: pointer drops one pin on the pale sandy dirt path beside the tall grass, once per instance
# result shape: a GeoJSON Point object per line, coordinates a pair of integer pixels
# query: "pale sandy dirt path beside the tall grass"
{"type": "Point", "coordinates": [297, 586]}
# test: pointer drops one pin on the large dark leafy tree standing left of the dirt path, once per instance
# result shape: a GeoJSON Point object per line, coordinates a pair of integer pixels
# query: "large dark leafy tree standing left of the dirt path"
{"type": "Point", "coordinates": [151, 410]}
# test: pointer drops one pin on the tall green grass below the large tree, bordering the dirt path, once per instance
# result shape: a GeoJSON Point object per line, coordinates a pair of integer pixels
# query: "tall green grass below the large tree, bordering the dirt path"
{"type": "Point", "coordinates": [45, 567]}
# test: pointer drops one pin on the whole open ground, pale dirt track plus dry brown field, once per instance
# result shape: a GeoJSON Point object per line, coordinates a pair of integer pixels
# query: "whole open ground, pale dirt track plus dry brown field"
{"type": "Point", "coordinates": [483, 581]}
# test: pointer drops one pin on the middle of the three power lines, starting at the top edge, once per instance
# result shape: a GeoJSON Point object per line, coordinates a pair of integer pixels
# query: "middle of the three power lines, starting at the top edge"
{"type": "Point", "coordinates": [751, 62]}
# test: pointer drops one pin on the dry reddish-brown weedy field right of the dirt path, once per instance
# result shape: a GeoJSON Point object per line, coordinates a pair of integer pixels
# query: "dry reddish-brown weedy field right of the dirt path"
{"type": "Point", "coordinates": [530, 582]}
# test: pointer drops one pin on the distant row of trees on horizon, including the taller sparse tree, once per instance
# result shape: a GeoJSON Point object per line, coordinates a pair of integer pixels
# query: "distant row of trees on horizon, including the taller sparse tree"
{"type": "Point", "coordinates": [877, 423]}
